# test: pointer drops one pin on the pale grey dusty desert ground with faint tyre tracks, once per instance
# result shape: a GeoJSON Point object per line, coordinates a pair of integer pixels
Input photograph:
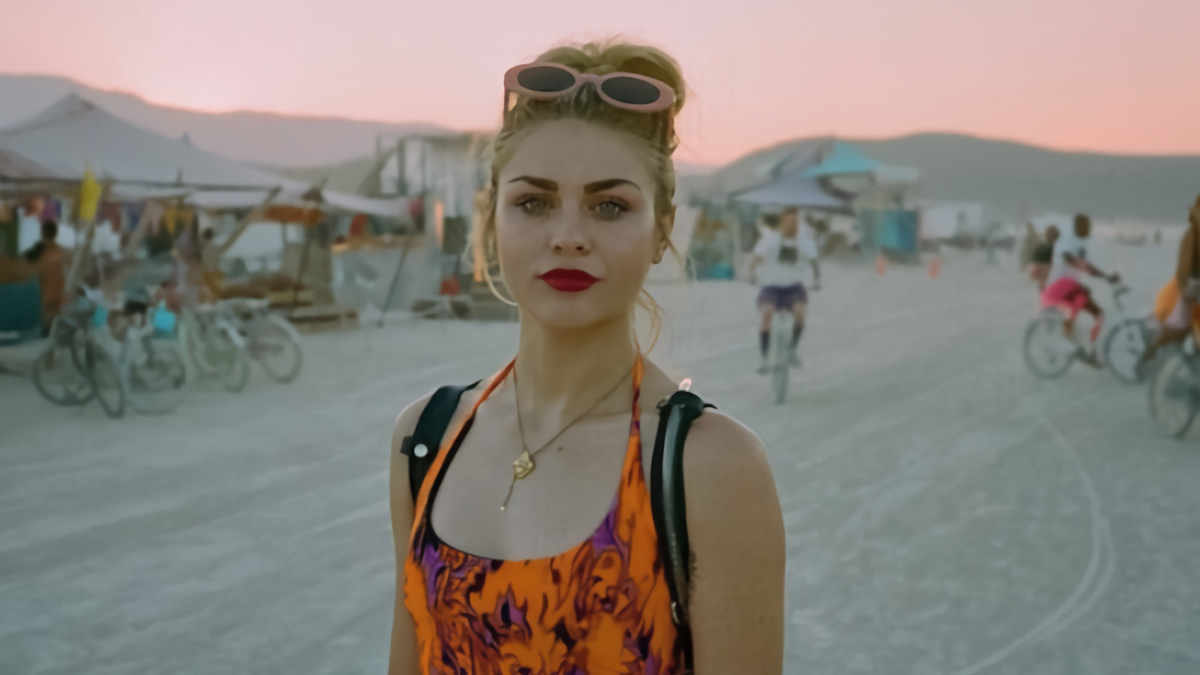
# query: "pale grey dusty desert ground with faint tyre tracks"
{"type": "Point", "coordinates": [946, 512]}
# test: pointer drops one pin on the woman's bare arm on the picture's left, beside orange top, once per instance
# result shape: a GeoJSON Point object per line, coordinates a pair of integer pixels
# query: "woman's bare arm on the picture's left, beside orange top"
{"type": "Point", "coordinates": [404, 659]}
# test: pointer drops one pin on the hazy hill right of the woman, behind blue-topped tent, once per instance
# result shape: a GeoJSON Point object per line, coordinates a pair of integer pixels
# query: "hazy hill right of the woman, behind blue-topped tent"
{"type": "Point", "coordinates": [1021, 181]}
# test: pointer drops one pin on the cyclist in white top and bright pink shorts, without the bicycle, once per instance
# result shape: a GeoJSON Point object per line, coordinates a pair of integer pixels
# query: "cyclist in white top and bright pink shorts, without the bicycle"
{"type": "Point", "coordinates": [1065, 290]}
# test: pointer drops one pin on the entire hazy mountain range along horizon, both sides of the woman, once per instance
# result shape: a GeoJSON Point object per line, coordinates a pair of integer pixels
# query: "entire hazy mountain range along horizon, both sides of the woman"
{"type": "Point", "coordinates": [1021, 181]}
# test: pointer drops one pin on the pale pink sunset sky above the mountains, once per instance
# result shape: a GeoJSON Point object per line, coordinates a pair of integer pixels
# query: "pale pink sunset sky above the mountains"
{"type": "Point", "coordinates": [1097, 75]}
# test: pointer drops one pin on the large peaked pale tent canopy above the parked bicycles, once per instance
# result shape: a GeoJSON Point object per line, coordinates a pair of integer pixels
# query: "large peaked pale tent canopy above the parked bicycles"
{"type": "Point", "coordinates": [50, 154]}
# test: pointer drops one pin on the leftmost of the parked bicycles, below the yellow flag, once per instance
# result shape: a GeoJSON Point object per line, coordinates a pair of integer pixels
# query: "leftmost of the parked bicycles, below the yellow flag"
{"type": "Point", "coordinates": [76, 368]}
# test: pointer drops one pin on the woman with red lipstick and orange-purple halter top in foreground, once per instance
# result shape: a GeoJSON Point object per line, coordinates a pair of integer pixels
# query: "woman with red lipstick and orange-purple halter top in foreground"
{"type": "Point", "coordinates": [501, 564]}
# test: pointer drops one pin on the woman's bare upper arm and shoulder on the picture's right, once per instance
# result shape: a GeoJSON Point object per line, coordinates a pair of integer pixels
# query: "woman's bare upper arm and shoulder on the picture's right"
{"type": "Point", "coordinates": [736, 531]}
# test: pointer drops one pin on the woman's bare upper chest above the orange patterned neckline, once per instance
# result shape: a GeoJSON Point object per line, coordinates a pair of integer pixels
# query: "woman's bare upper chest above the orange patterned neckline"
{"type": "Point", "coordinates": [561, 504]}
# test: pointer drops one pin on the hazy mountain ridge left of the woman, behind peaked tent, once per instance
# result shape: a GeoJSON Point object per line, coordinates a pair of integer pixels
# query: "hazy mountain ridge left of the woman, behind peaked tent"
{"type": "Point", "coordinates": [254, 138]}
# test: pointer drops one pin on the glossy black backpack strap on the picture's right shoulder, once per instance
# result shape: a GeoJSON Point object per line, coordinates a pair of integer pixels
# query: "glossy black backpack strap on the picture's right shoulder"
{"type": "Point", "coordinates": [668, 499]}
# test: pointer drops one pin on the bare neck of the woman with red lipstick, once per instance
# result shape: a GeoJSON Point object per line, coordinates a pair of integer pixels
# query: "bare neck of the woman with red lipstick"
{"type": "Point", "coordinates": [562, 372]}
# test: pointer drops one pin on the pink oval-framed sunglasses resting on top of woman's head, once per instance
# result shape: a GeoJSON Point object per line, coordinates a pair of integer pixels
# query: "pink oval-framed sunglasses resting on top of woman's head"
{"type": "Point", "coordinates": [631, 92]}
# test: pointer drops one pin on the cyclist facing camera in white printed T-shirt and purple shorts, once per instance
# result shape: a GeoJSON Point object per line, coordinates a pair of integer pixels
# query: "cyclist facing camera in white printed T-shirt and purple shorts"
{"type": "Point", "coordinates": [779, 254]}
